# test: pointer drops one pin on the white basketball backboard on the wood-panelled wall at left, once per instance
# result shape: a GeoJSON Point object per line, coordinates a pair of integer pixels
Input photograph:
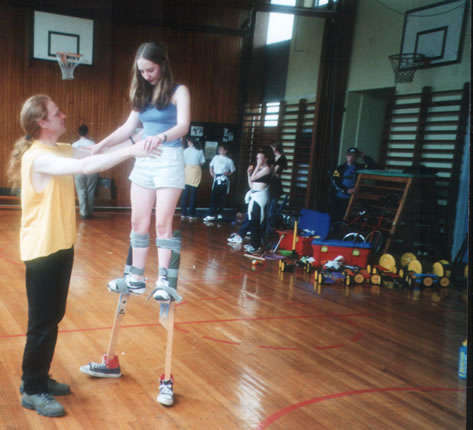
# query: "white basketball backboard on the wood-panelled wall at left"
{"type": "Point", "coordinates": [60, 33]}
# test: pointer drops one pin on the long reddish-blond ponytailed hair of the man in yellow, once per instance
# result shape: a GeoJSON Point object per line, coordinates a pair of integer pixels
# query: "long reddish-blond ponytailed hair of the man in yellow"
{"type": "Point", "coordinates": [34, 110]}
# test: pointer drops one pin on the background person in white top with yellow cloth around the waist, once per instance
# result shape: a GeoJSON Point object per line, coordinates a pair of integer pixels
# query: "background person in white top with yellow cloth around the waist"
{"type": "Point", "coordinates": [193, 161]}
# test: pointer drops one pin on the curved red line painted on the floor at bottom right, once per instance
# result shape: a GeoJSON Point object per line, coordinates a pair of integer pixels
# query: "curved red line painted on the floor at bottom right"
{"type": "Point", "coordinates": [285, 411]}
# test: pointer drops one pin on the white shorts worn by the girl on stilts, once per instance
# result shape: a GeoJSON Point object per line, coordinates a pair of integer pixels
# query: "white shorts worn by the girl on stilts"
{"type": "Point", "coordinates": [164, 171]}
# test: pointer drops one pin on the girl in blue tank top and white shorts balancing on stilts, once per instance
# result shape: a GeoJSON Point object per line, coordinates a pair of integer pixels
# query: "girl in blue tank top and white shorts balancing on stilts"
{"type": "Point", "coordinates": [162, 108]}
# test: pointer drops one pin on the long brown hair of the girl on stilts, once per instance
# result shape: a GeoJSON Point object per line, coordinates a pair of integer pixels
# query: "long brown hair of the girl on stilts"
{"type": "Point", "coordinates": [141, 91]}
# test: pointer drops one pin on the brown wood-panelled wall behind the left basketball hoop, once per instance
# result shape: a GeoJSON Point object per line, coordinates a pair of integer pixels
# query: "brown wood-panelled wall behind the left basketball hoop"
{"type": "Point", "coordinates": [203, 57]}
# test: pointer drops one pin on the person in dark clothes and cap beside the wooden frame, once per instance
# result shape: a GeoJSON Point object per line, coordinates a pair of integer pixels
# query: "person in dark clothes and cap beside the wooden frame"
{"type": "Point", "coordinates": [344, 179]}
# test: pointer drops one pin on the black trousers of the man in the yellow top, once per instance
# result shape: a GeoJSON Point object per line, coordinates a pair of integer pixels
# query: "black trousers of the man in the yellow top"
{"type": "Point", "coordinates": [47, 286]}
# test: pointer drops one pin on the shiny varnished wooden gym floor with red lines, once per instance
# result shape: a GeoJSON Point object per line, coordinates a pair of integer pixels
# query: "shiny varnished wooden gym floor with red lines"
{"type": "Point", "coordinates": [253, 349]}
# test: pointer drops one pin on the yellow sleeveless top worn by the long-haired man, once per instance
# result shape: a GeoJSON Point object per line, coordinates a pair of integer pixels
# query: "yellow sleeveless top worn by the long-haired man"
{"type": "Point", "coordinates": [48, 218]}
